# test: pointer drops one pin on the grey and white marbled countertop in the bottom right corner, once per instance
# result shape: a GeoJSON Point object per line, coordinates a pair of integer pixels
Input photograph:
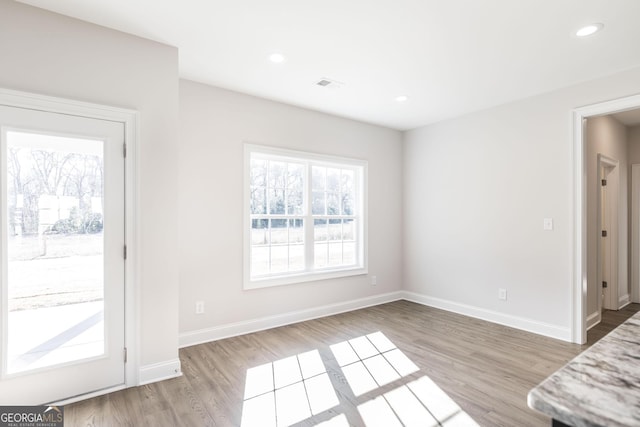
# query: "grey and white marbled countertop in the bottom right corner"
{"type": "Point", "coordinates": [600, 387]}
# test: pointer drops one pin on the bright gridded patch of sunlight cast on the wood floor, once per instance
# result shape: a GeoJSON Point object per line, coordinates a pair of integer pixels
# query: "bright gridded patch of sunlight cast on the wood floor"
{"type": "Point", "coordinates": [296, 388]}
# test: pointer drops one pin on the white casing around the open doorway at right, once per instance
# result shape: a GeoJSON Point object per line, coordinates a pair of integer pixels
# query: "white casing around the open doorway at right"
{"type": "Point", "coordinates": [578, 301]}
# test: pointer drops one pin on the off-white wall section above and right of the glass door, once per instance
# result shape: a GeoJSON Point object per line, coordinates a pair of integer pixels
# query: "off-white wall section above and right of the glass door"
{"type": "Point", "coordinates": [54, 55]}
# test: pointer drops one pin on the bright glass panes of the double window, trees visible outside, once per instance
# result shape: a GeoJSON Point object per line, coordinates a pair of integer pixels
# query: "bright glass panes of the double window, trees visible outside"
{"type": "Point", "coordinates": [277, 208]}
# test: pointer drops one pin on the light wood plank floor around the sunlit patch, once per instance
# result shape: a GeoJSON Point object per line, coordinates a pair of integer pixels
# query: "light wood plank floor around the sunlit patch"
{"type": "Point", "coordinates": [486, 369]}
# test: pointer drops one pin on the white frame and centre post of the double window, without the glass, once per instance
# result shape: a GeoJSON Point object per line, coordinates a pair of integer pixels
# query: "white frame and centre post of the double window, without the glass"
{"type": "Point", "coordinates": [309, 274]}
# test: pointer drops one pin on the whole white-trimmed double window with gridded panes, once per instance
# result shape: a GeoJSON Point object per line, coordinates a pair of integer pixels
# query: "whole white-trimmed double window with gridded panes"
{"type": "Point", "coordinates": [305, 217]}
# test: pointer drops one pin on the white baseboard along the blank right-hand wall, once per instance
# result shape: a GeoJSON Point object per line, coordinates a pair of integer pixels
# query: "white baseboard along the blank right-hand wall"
{"type": "Point", "coordinates": [517, 322]}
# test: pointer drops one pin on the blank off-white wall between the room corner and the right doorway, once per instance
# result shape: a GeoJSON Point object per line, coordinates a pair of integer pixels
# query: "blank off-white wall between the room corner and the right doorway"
{"type": "Point", "coordinates": [476, 191]}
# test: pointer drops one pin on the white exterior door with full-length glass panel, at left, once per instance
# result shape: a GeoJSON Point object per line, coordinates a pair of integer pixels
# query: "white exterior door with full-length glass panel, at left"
{"type": "Point", "coordinates": [62, 260]}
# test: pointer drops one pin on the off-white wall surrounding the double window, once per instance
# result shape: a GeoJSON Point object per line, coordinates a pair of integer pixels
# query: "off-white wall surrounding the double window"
{"type": "Point", "coordinates": [214, 123]}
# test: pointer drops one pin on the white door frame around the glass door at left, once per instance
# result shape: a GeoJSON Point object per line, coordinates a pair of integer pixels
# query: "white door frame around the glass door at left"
{"type": "Point", "coordinates": [130, 119]}
